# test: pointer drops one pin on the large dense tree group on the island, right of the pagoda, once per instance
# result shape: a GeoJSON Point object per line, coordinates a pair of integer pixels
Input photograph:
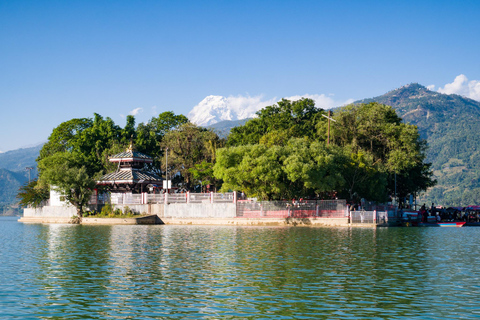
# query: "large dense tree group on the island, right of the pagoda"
{"type": "Point", "coordinates": [283, 153]}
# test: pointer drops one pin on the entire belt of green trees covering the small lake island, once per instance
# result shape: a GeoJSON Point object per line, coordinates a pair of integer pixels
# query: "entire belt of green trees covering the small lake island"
{"type": "Point", "coordinates": [280, 154]}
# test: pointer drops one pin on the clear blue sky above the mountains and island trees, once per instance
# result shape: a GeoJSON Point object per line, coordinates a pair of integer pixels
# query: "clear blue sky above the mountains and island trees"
{"type": "Point", "coordinates": [65, 59]}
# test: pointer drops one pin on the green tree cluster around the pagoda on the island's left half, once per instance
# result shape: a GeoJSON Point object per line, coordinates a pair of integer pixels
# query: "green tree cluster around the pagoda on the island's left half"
{"type": "Point", "coordinates": [77, 153]}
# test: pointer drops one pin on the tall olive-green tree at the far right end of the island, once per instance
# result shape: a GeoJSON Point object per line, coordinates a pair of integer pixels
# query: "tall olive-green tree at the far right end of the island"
{"type": "Point", "coordinates": [395, 147]}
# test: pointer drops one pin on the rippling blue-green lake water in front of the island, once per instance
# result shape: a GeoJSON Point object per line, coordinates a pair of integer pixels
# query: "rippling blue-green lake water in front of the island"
{"type": "Point", "coordinates": [212, 272]}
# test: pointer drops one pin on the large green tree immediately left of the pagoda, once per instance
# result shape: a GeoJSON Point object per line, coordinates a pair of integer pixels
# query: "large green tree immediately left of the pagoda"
{"type": "Point", "coordinates": [77, 152]}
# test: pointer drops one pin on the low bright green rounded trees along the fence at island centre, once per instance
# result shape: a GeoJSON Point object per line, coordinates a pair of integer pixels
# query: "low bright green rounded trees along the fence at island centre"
{"type": "Point", "coordinates": [298, 169]}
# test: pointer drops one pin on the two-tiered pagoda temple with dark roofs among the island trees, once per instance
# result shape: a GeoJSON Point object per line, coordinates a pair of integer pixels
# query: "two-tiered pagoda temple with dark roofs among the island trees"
{"type": "Point", "coordinates": [131, 175]}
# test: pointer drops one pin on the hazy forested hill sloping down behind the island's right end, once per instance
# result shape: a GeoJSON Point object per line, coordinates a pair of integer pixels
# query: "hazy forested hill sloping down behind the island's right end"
{"type": "Point", "coordinates": [449, 124]}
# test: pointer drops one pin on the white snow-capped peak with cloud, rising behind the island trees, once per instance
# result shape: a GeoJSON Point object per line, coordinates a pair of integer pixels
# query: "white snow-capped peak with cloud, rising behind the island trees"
{"type": "Point", "coordinates": [214, 109]}
